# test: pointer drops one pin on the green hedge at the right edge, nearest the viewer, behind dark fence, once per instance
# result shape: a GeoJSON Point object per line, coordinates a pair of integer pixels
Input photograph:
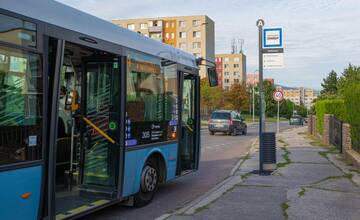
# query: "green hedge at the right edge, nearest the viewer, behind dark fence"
{"type": "Point", "coordinates": [352, 103]}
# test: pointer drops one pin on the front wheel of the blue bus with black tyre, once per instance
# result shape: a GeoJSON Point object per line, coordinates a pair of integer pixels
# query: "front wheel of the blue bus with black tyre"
{"type": "Point", "coordinates": [149, 183]}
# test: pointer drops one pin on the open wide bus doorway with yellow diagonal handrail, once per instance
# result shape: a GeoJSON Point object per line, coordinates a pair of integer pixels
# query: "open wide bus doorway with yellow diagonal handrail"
{"type": "Point", "coordinates": [88, 130]}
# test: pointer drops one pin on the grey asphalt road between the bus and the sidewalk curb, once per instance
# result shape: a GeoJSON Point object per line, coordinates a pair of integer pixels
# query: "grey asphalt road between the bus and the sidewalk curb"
{"type": "Point", "coordinates": [219, 154]}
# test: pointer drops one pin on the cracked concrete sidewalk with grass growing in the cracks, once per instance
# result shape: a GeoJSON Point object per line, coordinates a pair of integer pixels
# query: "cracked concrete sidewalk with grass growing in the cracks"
{"type": "Point", "coordinates": [311, 182]}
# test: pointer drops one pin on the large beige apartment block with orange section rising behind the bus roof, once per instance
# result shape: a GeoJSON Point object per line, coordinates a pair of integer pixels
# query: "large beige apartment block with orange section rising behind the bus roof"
{"type": "Point", "coordinates": [193, 34]}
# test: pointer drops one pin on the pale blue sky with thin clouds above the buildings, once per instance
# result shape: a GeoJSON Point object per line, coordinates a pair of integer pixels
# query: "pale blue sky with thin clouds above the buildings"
{"type": "Point", "coordinates": [318, 35]}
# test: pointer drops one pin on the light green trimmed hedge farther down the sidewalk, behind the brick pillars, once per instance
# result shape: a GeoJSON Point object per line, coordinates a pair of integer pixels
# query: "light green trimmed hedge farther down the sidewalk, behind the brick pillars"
{"type": "Point", "coordinates": [329, 106]}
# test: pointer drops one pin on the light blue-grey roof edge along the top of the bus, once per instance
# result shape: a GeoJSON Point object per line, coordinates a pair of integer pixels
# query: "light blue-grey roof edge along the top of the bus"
{"type": "Point", "coordinates": [60, 15]}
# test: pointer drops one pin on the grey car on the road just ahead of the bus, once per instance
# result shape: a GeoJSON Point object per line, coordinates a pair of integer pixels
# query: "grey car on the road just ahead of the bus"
{"type": "Point", "coordinates": [228, 122]}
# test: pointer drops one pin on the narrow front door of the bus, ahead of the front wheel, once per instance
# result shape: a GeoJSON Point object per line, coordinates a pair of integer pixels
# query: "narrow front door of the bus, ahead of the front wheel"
{"type": "Point", "coordinates": [188, 124]}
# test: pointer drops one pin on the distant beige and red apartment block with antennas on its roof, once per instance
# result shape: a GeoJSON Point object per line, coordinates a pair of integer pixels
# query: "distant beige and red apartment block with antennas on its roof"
{"type": "Point", "coordinates": [231, 69]}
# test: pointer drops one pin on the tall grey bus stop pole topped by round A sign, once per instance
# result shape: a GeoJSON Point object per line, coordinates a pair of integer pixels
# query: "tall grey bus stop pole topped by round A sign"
{"type": "Point", "coordinates": [260, 24]}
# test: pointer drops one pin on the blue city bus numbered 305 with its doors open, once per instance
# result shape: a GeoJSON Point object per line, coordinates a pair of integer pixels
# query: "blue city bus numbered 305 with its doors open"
{"type": "Point", "coordinates": [91, 114]}
